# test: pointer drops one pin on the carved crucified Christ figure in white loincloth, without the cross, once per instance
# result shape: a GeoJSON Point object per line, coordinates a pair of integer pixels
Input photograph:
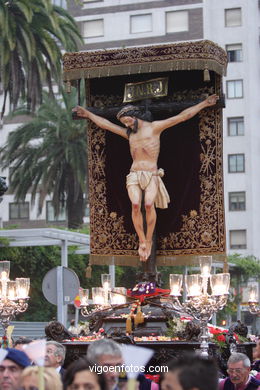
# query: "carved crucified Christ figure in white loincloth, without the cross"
{"type": "Point", "coordinates": [144, 142]}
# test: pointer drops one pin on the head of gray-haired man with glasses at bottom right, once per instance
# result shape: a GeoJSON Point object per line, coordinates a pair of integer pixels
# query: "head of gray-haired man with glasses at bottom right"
{"type": "Point", "coordinates": [239, 367]}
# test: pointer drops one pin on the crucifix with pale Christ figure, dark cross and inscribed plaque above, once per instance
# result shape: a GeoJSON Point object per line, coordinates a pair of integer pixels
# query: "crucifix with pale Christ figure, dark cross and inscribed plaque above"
{"type": "Point", "coordinates": [144, 181]}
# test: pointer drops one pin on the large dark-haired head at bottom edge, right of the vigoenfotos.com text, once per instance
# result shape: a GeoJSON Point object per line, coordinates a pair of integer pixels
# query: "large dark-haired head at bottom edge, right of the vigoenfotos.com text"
{"type": "Point", "coordinates": [190, 372]}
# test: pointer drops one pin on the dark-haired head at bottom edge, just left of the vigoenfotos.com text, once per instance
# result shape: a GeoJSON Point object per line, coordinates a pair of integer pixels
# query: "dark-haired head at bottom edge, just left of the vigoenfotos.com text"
{"type": "Point", "coordinates": [79, 376]}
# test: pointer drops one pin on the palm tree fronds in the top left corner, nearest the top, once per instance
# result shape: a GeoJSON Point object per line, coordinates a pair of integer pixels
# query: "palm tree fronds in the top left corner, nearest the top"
{"type": "Point", "coordinates": [32, 33]}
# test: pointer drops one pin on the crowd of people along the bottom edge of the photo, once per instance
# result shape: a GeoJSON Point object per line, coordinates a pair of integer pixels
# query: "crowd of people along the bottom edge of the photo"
{"type": "Point", "coordinates": [191, 372]}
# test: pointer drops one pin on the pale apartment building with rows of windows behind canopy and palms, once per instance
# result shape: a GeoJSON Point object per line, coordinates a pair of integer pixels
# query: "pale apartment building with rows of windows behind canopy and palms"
{"type": "Point", "coordinates": [234, 25]}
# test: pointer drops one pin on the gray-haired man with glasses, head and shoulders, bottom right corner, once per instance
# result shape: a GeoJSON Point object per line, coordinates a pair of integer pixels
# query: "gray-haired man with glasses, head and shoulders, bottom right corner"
{"type": "Point", "coordinates": [239, 366]}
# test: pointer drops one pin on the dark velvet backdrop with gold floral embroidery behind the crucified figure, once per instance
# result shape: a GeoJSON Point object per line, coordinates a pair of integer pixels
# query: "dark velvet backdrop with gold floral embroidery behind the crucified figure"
{"type": "Point", "coordinates": [190, 154]}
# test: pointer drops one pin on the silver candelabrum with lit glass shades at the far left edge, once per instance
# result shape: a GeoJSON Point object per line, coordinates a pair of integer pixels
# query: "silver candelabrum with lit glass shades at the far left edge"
{"type": "Point", "coordinates": [13, 295]}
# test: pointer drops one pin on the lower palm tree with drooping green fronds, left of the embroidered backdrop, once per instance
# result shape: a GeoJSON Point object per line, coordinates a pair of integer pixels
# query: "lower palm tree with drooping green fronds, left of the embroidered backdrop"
{"type": "Point", "coordinates": [48, 155]}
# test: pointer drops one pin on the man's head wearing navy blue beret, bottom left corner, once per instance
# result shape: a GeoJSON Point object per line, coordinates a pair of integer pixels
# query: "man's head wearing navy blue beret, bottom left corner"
{"type": "Point", "coordinates": [11, 369]}
